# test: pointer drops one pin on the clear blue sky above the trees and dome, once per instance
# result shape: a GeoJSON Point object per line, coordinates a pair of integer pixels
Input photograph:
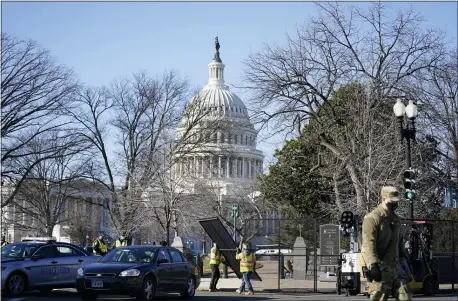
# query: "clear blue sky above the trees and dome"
{"type": "Point", "coordinates": [104, 40]}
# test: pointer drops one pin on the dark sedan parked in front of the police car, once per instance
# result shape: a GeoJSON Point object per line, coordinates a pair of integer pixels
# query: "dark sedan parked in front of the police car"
{"type": "Point", "coordinates": [139, 271]}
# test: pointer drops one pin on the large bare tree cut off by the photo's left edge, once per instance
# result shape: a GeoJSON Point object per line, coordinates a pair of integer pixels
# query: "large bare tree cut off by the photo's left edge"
{"type": "Point", "coordinates": [35, 89]}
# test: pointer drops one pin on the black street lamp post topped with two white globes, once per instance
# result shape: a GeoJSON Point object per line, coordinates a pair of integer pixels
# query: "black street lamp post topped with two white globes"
{"type": "Point", "coordinates": [407, 132]}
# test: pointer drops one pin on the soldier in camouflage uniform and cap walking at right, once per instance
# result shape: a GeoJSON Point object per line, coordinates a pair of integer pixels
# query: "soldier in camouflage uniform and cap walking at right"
{"type": "Point", "coordinates": [380, 247]}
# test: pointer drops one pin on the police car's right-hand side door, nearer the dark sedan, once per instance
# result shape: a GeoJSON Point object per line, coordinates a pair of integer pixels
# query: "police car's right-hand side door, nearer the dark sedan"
{"type": "Point", "coordinates": [69, 260]}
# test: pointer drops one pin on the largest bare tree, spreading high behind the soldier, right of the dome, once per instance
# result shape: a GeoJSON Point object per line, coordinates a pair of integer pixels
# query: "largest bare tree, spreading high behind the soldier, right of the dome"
{"type": "Point", "coordinates": [293, 83]}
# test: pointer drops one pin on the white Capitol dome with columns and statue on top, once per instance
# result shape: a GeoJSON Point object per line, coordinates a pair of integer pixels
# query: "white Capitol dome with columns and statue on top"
{"type": "Point", "coordinates": [228, 151]}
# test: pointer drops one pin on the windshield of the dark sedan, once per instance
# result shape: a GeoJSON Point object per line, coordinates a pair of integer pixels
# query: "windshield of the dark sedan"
{"type": "Point", "coordinates": [139, 255]}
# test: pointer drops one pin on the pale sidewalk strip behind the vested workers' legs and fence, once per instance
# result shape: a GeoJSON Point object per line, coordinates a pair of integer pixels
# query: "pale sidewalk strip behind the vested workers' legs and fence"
{"type": "Point", "coordinates": [269, 285]}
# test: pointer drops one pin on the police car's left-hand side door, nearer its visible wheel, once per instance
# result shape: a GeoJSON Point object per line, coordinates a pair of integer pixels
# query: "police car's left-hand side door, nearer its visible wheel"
{"type": "Point", "coordinates": [42, 270]}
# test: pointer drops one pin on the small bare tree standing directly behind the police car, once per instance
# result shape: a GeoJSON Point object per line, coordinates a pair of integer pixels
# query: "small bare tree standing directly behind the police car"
{"type": "Point", "coordinates": [49, 187]}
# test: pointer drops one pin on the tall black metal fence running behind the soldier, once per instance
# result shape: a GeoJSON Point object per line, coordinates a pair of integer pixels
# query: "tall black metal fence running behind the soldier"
{"type": "Point", "coordinates": [299, 253]}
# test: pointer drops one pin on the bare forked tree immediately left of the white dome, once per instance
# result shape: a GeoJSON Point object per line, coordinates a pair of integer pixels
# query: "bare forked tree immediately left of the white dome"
{"type": "Point", "coordinates": [140, 112]}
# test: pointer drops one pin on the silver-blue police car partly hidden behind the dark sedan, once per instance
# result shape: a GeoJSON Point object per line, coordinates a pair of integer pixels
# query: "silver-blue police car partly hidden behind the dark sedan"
{"type": "Point", "coordinates": [41, 263]}
